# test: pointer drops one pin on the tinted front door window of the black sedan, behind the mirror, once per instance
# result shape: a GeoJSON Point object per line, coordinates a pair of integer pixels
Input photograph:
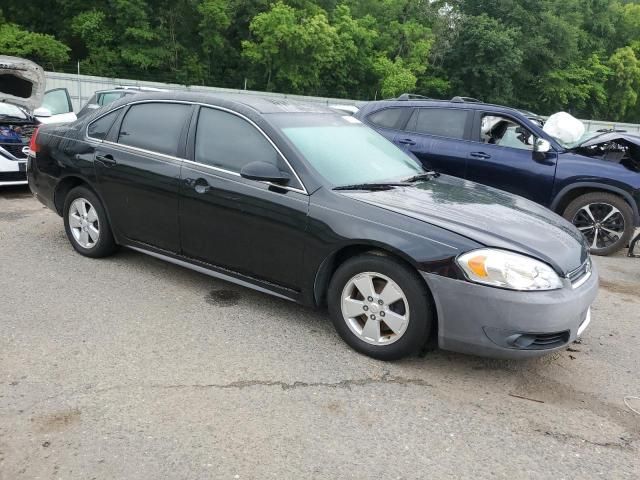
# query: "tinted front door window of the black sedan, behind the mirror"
{"type": "Point", "coordinates": [229, 142]}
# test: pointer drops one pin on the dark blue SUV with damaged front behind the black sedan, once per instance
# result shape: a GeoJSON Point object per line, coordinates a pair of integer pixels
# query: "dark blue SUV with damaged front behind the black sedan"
{"type": "Point", "coordinates": [595, 183]}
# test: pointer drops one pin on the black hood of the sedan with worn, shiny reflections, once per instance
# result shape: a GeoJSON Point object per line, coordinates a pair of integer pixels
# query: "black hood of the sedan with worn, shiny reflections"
{"type": "Point", "coordinates": [488, 216]}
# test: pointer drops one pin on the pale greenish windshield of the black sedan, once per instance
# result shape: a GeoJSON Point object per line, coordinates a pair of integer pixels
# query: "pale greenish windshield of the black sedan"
{"type": "Point", "coordinates": [344, 151]}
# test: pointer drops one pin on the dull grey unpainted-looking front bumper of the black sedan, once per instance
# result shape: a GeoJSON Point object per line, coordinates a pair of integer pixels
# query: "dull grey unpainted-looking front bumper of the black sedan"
{"type": "Point", "coordinates": [493, 322]}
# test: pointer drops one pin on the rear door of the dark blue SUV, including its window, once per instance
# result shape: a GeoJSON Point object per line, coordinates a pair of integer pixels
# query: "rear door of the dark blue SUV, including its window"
{"type": "Point", "coordinates": [438, 137]}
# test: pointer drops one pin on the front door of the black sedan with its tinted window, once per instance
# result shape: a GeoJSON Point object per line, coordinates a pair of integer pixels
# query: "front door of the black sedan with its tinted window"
{"type": "Point", "coordinates": [246, 226]}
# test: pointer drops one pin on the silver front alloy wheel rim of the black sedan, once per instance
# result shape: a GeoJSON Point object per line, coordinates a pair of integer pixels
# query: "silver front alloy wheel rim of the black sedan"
{"type": "Point", "coordinates": [375, 308]}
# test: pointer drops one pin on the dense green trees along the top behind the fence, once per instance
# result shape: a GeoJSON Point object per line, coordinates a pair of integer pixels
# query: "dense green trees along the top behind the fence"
{"type": "Point", "coordinates": [582, 56]}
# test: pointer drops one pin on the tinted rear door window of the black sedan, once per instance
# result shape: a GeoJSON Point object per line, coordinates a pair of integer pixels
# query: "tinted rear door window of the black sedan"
{"type": "Point", "coordinates": [154, 126]}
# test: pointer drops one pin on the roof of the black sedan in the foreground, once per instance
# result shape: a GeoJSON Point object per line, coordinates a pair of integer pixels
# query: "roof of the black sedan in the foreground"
{"type": "Point", "coordinates": [258, 103]}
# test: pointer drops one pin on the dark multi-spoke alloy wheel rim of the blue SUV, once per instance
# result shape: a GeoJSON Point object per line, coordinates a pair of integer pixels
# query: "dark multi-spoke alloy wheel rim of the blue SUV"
{"type": "Point", "coordinates": [602, 224]}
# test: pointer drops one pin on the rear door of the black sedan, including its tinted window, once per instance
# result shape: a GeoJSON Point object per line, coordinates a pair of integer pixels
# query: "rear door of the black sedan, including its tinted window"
{"type": "Point", "coordinates": [138, 171]}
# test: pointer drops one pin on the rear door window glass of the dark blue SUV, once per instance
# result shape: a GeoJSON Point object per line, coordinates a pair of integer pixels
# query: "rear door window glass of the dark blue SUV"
{"type": "Point", "coordinates": [443, 122]}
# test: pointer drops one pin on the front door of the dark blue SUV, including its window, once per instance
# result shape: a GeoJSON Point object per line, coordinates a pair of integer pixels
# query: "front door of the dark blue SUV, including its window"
{"type": "Point", "coordinates": [502, 157]}
